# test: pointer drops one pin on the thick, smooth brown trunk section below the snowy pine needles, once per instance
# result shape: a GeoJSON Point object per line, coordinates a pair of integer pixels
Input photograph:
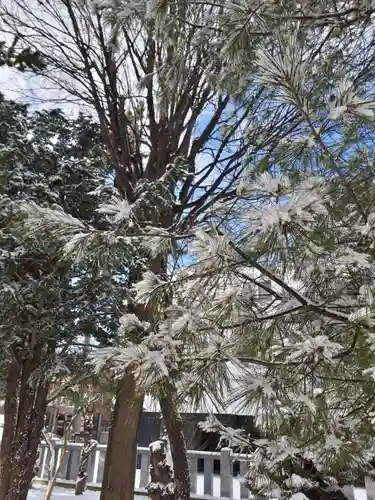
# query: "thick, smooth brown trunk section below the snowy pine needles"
{"type": "Point", "coordinates": [120, 463]}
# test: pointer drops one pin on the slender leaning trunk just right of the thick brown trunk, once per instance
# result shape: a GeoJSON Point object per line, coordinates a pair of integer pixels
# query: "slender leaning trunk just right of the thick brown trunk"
{"type": "Point", "coordinates": [173, 425]}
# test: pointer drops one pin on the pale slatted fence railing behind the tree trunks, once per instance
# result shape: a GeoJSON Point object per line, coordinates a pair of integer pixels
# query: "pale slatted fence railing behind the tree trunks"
{"type": "Point", "coordinates": [212, 474]}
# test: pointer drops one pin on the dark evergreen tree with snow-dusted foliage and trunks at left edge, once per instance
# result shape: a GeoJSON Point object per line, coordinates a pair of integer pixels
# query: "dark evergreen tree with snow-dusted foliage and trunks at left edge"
{"type": "Point", "coordinates": [47, 304]}
